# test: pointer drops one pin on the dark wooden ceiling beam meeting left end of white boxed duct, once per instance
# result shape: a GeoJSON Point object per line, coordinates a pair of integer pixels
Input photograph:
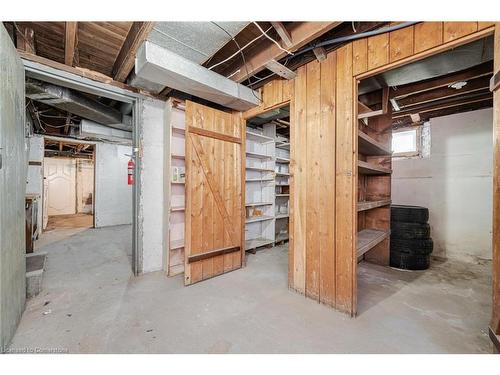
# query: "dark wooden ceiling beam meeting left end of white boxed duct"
{"type": "Point", "coordinates": [125, 60]}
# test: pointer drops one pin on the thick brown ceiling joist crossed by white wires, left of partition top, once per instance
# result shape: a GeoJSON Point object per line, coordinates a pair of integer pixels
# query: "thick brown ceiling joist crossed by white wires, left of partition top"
{"type": "Point", "coordinates": [302, 34]}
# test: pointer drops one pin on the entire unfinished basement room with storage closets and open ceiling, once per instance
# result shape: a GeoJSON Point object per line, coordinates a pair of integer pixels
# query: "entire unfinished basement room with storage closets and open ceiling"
{"type": "Point", "coordinates": [249, 187]}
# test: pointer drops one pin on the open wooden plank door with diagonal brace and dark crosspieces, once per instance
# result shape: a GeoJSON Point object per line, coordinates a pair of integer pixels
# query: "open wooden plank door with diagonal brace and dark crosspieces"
{"type": "Point", "coordinates": [215, 147]}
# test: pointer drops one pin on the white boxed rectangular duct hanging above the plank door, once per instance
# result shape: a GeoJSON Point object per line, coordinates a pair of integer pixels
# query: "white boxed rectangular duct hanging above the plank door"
{"type": "Point", "coordinates": [159, 65]}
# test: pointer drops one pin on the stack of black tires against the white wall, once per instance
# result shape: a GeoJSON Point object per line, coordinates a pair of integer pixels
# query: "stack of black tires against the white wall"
{"type": "Point", "coordinates": [411, 243]}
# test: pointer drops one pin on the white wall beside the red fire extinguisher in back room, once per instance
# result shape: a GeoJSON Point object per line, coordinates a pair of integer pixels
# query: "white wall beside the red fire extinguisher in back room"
{"type": "Point", "coordinates": [113, 196]}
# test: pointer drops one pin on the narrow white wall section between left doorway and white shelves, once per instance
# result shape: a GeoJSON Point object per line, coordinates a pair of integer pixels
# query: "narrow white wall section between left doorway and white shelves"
{"type": "Point", "coordinates": [152, 215]}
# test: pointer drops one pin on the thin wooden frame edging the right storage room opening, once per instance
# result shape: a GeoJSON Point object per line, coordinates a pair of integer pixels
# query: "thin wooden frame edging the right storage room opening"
{"type": "Point", "coordinates": [496, 195]}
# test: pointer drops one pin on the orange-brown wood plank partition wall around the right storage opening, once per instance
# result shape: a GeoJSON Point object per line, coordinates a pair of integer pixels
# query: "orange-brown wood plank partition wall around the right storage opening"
{"type": "Point", "coordinates": [324, 134]}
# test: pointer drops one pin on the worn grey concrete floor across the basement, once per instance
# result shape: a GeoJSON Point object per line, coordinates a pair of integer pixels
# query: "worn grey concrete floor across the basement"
{"type": "Point", "coordinates": [90, 303]}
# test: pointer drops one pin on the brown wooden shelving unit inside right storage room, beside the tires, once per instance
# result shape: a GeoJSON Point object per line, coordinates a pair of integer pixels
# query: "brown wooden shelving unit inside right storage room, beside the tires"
{"type": "Point", "coordinates": [374, 182]}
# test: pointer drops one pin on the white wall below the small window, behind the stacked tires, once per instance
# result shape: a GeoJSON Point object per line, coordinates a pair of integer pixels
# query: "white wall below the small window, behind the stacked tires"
{"type": "Point", "coordinates": [455, 183]}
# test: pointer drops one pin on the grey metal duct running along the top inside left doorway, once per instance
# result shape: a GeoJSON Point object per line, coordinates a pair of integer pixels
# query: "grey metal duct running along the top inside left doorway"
{"type": "Point", "coordinates": [78, 104]}
